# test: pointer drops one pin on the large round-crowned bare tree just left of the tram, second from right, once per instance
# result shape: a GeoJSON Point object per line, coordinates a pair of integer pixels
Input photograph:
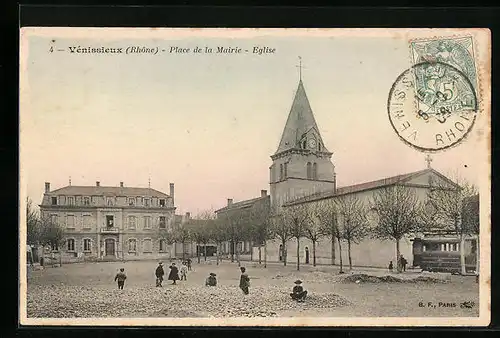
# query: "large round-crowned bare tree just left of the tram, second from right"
{"type": "Point", "coordinates": [398, 214]}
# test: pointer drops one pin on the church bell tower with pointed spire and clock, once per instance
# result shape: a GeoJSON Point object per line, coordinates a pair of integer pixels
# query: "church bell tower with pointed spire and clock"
{"type": "Point", "coordinates": [302, 164]}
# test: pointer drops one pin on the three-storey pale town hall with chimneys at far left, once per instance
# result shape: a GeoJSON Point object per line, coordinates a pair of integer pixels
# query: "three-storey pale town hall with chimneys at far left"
{"type": "Point", "coordinates": [102, 222]}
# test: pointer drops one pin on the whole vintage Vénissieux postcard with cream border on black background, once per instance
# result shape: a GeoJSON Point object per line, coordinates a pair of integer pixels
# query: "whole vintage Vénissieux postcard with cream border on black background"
{"type": "Point", "coordinates": [255, 177]}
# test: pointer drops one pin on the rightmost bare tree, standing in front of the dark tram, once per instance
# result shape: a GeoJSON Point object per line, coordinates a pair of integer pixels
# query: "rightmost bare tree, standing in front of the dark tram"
{"type": "Point", "coordinates": [450, 202]}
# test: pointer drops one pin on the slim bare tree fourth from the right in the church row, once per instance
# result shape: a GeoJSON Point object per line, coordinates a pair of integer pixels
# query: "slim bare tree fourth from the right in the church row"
{"type": "Point", "coordinates": [326, 213]}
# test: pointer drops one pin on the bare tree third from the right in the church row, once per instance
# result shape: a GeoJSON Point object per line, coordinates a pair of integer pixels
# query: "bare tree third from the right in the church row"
{"type": "Point", "coordinates": [352, 220]}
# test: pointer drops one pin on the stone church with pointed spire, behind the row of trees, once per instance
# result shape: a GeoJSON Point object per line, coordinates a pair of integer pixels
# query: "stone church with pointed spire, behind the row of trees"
{"type": "Point", "coordinates": [302, 172]}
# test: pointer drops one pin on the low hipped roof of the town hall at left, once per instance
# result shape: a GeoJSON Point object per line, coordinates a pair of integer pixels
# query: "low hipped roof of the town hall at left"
{"type": "Point", "coordinates": [101, 190]}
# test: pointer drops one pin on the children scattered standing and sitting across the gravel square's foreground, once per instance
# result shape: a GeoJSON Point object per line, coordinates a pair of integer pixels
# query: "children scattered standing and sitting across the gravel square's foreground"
{"type": "Point", "coordinates": [298, 292]}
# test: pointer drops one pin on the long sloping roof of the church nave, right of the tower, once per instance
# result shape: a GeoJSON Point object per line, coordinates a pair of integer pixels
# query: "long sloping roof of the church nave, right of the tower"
{"type": "Point", "coordinates": [388, 181]}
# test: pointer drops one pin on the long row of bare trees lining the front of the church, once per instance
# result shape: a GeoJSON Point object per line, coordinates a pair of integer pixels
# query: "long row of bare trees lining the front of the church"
{"type": "Point", "coordinates": [390, 213]}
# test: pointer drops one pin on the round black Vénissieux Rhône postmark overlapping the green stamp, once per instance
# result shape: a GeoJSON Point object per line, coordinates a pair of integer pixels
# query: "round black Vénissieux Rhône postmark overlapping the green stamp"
{"type": "Point", "coordinates": [432, 106]}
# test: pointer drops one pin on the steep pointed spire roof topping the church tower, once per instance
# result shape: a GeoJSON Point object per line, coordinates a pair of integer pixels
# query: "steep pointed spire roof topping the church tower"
{"type": "Point", "coordinates": [300, 121]}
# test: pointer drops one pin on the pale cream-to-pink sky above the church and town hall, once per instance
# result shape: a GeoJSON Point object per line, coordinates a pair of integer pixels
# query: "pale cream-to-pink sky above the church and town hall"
{"type": "Point", "coordinates": [210, 122]}
